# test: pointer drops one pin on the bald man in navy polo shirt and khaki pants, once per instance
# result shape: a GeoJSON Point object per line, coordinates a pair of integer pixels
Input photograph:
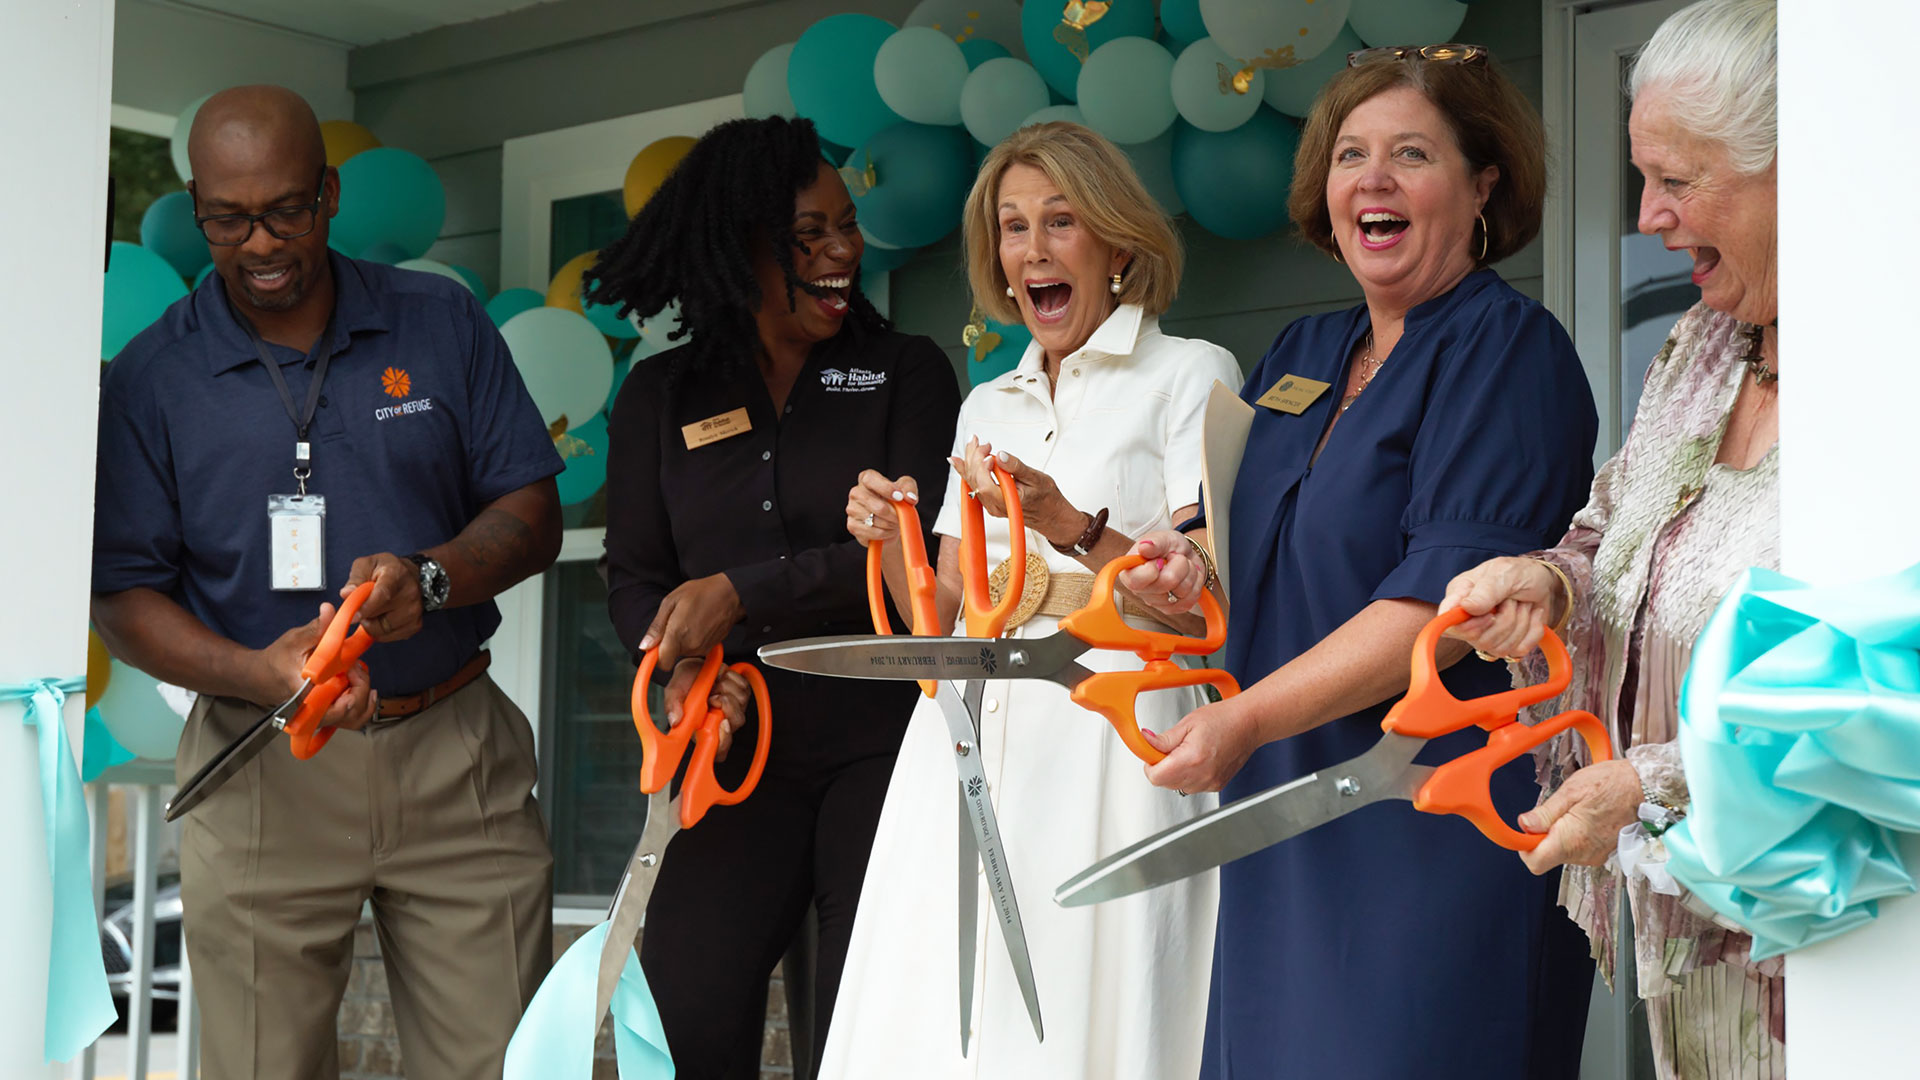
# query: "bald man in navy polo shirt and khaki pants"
{"type": "Point", "coordinates": [437, 478]}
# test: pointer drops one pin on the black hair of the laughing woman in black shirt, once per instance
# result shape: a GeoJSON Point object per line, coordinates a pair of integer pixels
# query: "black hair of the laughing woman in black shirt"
{"type": "Point", "coordinates": [694, 239]}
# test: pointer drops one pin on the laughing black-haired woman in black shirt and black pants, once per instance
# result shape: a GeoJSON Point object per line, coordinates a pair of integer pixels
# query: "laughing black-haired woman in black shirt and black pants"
{"type": "Point", "coordinates": [736, 531]}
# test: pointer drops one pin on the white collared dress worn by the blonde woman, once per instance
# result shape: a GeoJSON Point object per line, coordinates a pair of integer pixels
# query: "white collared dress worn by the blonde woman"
{"type": "Point", "coordinates": [1124, 985]}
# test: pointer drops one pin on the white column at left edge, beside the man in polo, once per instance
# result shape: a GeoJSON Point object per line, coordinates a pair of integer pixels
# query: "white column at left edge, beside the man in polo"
{"type": "Point", "coordinates": [57, 80]}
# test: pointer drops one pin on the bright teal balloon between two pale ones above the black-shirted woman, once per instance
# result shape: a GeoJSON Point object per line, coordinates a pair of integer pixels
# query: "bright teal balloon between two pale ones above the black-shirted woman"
{"type": "Point", "coordinates": [830, 78]}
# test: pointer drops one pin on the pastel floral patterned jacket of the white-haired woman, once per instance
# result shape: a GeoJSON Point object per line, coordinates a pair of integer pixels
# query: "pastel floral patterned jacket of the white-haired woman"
{"type": "Point", "coordinates": [1650, 556]}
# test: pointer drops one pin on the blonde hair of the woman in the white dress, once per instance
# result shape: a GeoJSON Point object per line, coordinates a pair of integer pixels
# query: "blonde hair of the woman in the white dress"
{"type": "Point", "coordinates": [1105, 191]}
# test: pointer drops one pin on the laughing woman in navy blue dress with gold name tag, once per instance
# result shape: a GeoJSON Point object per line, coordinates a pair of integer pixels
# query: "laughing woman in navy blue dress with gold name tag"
{"type": "Point", "coordinates": [1452, 424]}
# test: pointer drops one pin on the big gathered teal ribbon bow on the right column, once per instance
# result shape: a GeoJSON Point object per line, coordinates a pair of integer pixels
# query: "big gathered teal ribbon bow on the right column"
{"type": "Point", "coordinates": [1800, 729]}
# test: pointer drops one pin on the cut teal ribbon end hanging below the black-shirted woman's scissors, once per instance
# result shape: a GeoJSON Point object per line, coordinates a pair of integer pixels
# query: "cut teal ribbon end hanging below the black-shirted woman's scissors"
{"type": "Point", "coordinates": [554, 1037]}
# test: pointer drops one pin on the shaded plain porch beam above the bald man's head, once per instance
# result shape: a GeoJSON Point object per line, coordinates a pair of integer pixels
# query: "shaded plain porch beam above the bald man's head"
{"type": "Point", "coordinates": [166, 57]}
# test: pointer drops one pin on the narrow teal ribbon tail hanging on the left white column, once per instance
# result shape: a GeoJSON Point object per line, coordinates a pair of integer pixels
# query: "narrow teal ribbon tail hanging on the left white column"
{"type": "Point", "coordinates": [78, 1000]}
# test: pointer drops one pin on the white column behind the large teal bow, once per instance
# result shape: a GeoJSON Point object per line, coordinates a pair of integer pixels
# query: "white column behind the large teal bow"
{"type": "Point", "coordinates": [1850, 437]}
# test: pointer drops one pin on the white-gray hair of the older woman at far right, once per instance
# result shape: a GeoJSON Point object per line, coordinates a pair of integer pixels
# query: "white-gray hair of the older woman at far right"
{"type": "Point", "coordinates": [1717, 62]}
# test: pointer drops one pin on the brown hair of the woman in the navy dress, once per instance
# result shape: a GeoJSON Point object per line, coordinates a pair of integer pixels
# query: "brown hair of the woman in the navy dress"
{"type": "Point", "coordinates": [1493, 126]}
